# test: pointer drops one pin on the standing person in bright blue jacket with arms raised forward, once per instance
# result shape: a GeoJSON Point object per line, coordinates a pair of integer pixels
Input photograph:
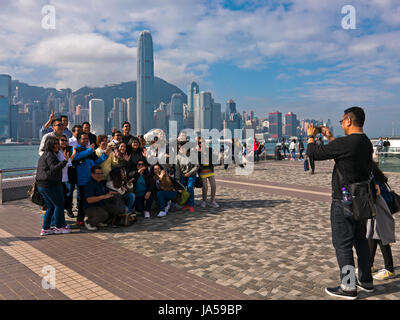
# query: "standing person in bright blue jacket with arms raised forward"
{"type": "Point", "coordinates": [84, 160]}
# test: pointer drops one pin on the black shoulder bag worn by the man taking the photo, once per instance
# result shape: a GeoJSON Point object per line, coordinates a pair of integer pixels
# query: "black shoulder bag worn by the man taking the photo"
{"type": "Point", "coordinates": [363, 197]}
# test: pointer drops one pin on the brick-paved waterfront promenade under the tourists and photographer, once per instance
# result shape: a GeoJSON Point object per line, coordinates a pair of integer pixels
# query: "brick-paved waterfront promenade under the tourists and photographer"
{"type": "Point", "coordinates": [270, 239]}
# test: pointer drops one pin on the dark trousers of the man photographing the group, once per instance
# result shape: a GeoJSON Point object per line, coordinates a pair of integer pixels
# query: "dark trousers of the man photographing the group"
{"type": "Point", "coordinates": [346, 233]}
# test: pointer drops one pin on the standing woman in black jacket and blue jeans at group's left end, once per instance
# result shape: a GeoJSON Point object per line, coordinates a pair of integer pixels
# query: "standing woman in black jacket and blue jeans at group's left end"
{"type": "Point", "coordinates": [49, 183]}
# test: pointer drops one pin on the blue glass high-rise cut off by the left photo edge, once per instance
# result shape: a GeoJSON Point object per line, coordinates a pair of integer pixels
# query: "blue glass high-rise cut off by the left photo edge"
{"type": "Point", "coordinates": [5, 102]}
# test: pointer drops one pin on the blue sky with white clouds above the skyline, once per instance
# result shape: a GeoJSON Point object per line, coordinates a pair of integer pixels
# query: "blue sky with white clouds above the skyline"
{"type": "Point", "coordinates": [265, 55]}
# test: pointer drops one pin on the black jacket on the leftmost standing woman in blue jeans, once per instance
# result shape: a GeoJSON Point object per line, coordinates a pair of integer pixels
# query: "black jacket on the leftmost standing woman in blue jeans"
{"type": "Point", "coordinates": [49, 170]}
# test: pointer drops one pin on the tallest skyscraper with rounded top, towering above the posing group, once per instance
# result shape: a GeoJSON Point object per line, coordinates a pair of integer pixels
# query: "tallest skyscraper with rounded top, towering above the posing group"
{"type": "Point", "coordinates": [145, 83]}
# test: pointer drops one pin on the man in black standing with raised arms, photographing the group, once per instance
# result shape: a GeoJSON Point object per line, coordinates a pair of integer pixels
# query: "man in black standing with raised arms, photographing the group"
{"type": "Point", "coordinates": [353, 159]}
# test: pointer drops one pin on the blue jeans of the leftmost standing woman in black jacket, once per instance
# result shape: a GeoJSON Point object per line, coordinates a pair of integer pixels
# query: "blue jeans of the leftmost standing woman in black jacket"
{"type": "Point", "coordinates": [54, 199]}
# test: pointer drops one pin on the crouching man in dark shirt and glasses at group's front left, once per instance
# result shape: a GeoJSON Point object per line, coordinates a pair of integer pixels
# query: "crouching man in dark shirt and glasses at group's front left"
{"type": "Point", "coordinates": [94, 205]}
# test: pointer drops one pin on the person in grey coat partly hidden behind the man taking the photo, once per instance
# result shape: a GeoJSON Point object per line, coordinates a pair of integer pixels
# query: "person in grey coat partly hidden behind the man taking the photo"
{"type": "Point", "coordinates": [381, 228]}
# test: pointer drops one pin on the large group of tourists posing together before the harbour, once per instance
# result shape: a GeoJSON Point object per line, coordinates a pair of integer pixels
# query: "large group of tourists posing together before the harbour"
{"type": "Point", "coordinates": [114, 178]}
